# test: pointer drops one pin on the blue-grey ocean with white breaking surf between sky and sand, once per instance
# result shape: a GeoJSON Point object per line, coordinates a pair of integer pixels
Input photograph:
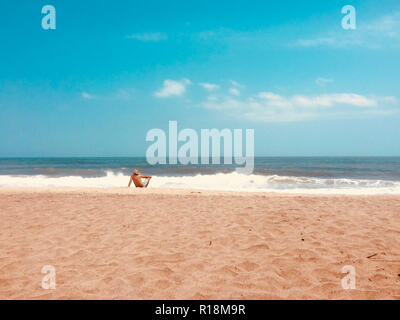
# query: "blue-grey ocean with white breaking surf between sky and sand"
{"type": "Point", "coordinates": [325, 175]}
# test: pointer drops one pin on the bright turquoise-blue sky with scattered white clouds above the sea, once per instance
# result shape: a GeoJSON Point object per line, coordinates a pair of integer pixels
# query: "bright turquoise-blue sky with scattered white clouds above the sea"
{"type": "Point", "coordinates": [113, 70]}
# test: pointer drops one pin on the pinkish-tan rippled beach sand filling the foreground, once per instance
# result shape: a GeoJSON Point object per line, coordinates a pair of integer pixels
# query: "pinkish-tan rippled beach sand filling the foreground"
{"type": "Point", "coordinates": [192, 244]}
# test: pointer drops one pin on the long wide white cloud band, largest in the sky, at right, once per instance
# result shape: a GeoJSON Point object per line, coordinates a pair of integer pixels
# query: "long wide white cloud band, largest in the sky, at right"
{"type": "Point", "coordinates": [271, 107]}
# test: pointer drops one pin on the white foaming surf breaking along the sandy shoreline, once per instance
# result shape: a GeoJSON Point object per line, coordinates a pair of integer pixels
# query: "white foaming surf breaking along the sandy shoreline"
{"type": "Point", "coordinates": [221, 181]}
